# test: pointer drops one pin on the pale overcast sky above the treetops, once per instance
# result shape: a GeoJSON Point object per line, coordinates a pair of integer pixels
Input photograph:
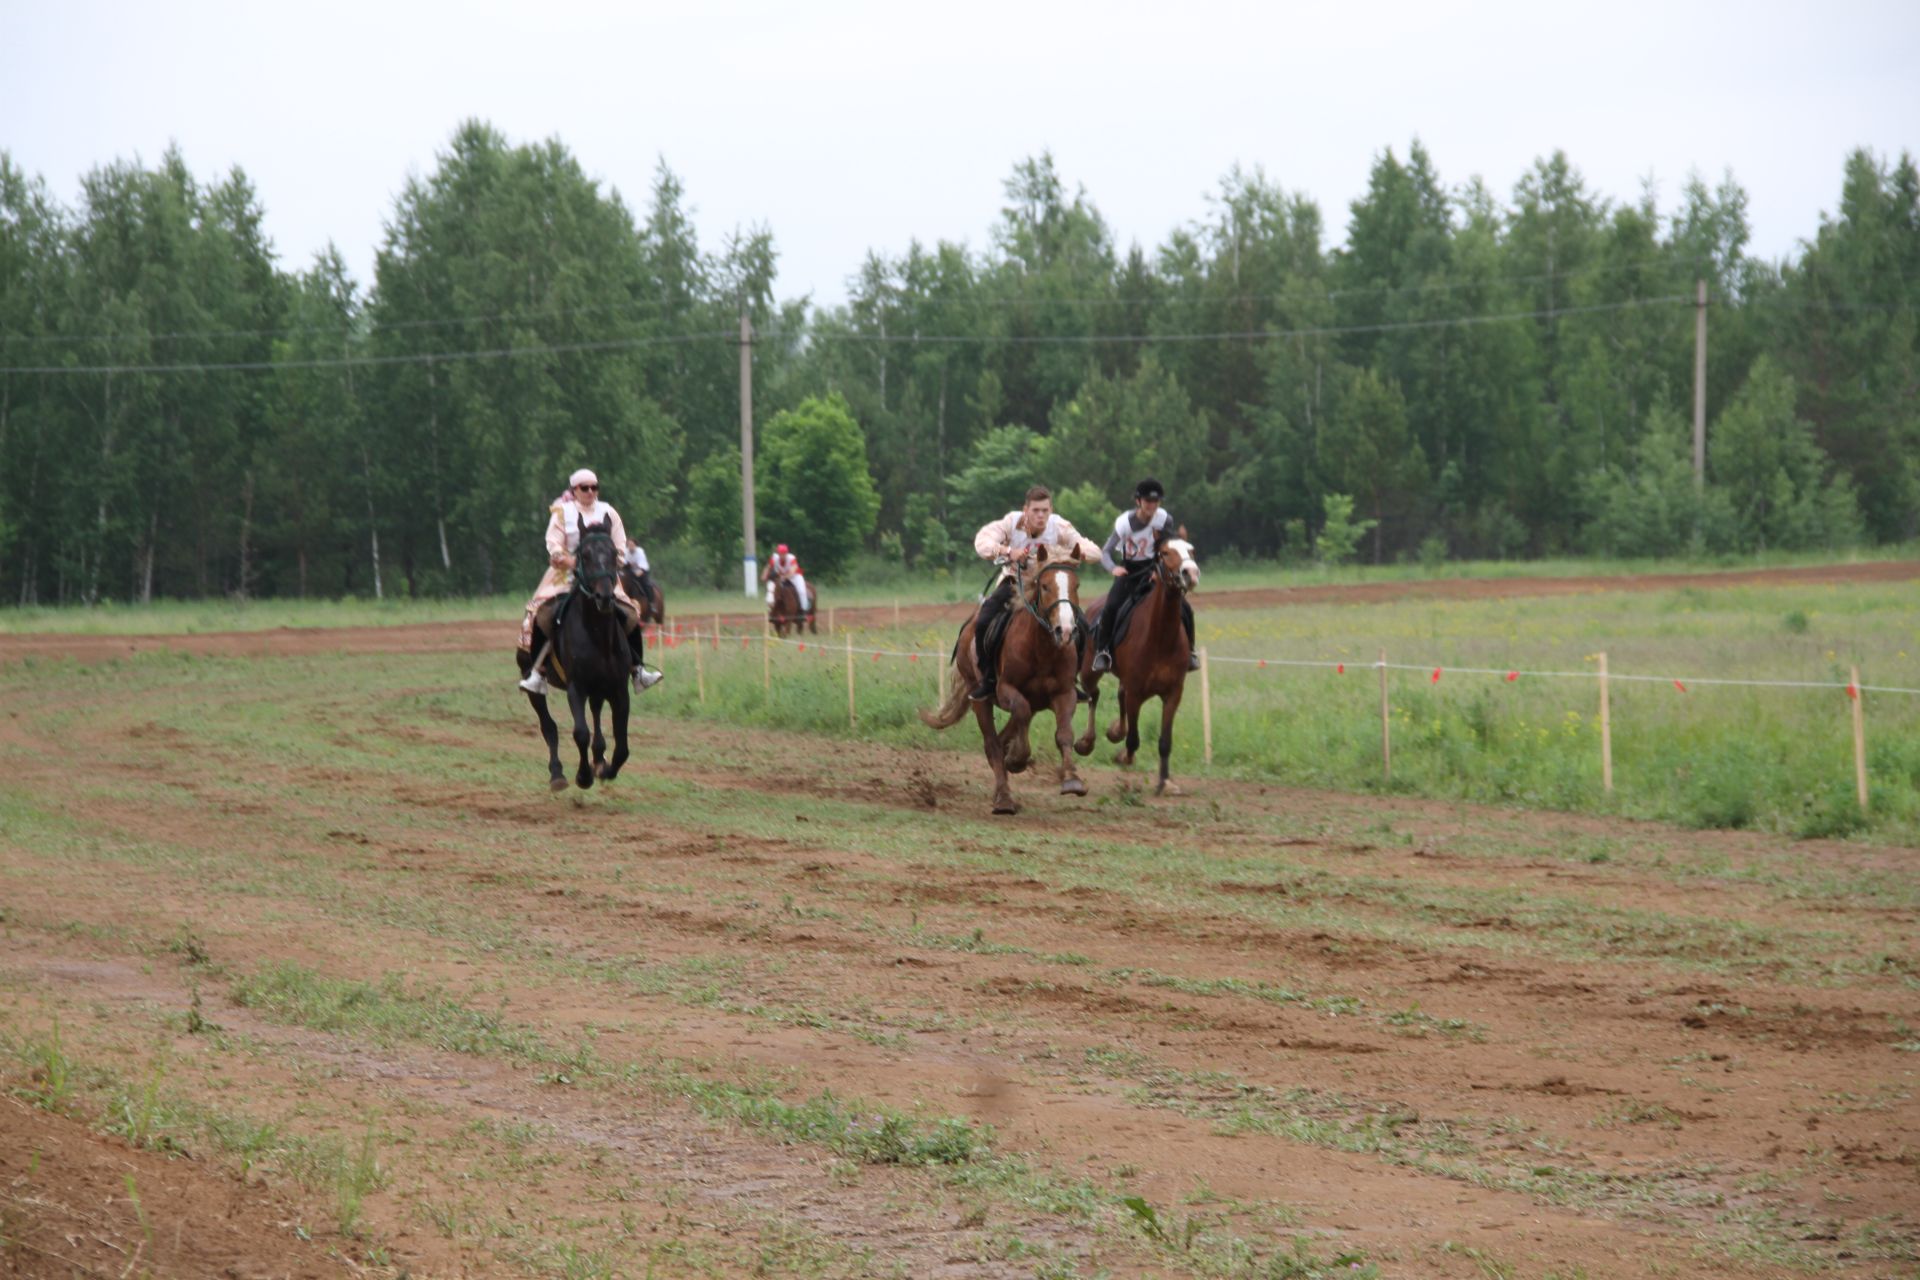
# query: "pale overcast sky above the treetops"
{"type": "Point", "coordinates": [852, 128]}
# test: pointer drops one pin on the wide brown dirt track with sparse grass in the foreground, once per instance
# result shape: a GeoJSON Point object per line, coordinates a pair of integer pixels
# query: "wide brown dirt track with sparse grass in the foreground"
{"type": "Point", "coordinates": [1452, 1039]}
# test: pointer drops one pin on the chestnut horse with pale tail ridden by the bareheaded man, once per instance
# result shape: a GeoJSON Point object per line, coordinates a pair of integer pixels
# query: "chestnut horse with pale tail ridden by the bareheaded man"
{"type": "Point", "coordinates": [1038, 663]}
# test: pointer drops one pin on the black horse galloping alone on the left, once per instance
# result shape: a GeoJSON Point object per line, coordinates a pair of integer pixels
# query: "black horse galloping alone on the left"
{"type": "Point", "coordinates": [590, 659]}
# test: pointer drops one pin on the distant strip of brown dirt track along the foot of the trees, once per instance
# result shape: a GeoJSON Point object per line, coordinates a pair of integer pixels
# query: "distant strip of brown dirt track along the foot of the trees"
{"type": "Point", "coordinates": [483, 636]}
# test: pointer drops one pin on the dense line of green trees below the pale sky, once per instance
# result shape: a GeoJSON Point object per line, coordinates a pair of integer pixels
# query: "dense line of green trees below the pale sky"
{"type": "Point", "coordinates": [1466, 375]}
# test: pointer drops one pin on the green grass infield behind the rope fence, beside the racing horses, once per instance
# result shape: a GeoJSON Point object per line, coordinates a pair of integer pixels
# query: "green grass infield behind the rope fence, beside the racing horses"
{"type": "Point", "coordinates": [1779, 759]}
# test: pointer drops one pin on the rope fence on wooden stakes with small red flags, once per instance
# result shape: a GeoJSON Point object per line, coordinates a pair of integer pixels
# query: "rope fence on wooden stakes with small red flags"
{"type": "Point", "coordinates": [675, 636]}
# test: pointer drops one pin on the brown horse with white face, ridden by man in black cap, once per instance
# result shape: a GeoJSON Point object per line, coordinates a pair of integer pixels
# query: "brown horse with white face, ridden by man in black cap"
{"type": "Point", "coordinates": [1151, 663]}
